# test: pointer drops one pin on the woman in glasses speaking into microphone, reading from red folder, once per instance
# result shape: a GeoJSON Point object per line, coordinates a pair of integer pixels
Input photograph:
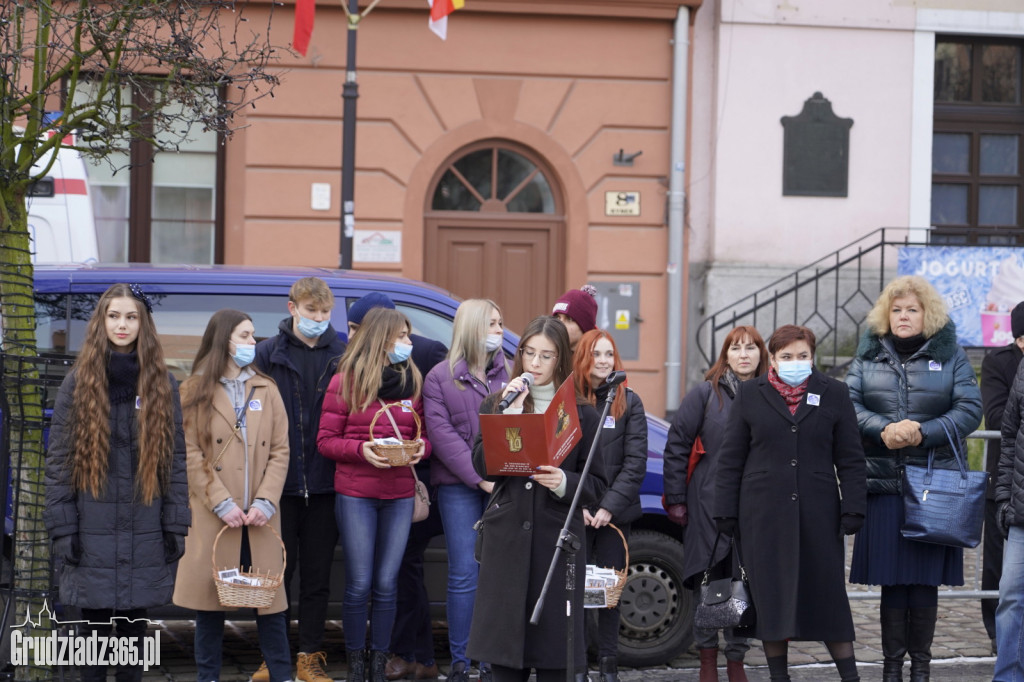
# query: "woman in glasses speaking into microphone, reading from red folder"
{"type": "Point", "coordinates": [523, 523]}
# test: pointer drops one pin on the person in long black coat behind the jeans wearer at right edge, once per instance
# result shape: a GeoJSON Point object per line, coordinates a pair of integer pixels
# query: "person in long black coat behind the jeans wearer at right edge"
{"type": "Point", "coordinates": [998, 371]}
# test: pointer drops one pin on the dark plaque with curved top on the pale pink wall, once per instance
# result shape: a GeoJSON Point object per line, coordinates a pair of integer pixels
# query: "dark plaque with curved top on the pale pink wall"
{"type": "Point", "coordinates": [817, 151]}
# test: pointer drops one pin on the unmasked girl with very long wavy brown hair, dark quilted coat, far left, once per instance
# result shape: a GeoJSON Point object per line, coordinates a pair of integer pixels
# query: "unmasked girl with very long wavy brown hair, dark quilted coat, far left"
{"type": "Point", "coordinates": [117, 505]}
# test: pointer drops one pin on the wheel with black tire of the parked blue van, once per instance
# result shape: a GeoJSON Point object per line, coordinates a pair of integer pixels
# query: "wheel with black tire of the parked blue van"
{"type": "Point", "coordinates": [656, 611]}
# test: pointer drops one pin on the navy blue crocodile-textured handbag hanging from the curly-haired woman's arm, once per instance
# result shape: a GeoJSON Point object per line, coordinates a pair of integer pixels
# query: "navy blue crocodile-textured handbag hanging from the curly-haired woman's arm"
{"type": "Point", "coordinates": [945, 506]}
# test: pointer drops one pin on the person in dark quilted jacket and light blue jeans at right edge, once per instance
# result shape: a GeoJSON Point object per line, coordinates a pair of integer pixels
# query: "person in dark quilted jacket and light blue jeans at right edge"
{"type": "Point", "coordinates": [1010, 498]}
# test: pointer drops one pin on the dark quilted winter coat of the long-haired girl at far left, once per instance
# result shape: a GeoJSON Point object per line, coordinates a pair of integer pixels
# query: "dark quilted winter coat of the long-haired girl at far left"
{"type": "Point", "coordinates": [122, 564]}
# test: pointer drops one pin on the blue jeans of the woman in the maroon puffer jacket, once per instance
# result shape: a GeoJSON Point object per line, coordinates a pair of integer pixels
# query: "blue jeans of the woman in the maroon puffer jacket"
{"type": "Point", "coordinates": [374, 534]}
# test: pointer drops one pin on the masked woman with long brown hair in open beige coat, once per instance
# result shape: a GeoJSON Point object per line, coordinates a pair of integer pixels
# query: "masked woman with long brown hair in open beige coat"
{"type": "Point", "coordinates": [237, 437]}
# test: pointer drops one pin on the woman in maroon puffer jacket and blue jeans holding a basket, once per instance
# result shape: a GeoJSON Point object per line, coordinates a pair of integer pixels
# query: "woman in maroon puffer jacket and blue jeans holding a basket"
{"type": "Point", "coordinates": [374, 506]}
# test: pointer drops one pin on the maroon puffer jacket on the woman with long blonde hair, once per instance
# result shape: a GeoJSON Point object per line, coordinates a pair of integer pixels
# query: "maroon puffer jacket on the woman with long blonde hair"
{"type": "Point", "coordinates": [343, 434]}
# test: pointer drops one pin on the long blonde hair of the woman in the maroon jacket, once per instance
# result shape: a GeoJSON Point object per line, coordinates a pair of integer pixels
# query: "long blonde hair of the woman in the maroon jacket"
{"type": "Point", "coordinates": [364, 361]}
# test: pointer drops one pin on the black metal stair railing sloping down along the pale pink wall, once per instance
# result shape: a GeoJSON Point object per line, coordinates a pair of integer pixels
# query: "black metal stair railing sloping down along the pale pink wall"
{"type": "Point", "coordinates": [832, 296]}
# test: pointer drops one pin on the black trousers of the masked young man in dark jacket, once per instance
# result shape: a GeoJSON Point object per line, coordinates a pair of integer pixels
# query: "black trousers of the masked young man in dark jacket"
{"type": "Point", "coordinates": [311, 535]}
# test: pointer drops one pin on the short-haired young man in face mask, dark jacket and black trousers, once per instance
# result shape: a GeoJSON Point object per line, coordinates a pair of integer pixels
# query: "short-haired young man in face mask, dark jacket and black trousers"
{"type": "Point", "coordinates": [302, 360]}
